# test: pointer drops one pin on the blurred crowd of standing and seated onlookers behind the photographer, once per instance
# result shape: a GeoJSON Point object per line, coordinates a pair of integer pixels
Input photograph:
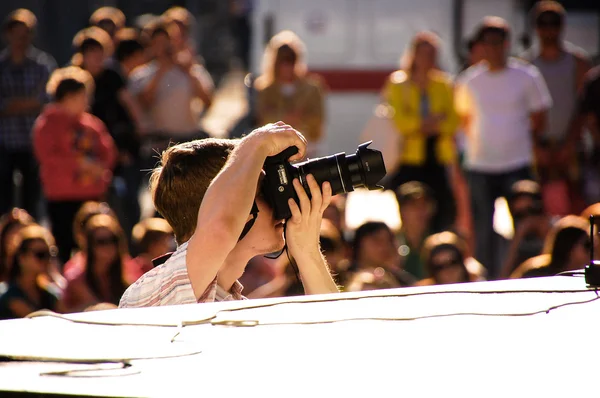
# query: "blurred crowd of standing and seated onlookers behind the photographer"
{"type": "Point", "coordinates": [521, 128]}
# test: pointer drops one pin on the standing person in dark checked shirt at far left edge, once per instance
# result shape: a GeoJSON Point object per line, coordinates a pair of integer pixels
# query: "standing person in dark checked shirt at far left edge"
{"type": "Point", "coordinates": [24, 73]}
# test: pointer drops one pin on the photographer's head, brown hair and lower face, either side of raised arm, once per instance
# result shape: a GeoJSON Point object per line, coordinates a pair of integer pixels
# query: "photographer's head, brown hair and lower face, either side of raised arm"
{"type": "Point", "coordinates": [179, 183]}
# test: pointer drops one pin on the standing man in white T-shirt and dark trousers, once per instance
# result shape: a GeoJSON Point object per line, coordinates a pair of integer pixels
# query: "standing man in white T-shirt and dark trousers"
{"type": "Point", "coordinates": [503, 103]}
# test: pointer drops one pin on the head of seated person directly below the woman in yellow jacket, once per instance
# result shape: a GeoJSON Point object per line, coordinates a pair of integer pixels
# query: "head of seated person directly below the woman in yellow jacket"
{"type": "Point", "coordinates": [417, 205]}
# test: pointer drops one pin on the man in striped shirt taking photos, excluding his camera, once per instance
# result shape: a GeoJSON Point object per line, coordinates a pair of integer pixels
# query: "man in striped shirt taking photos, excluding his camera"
{"type": "Point", "coordinates": [221, 177]}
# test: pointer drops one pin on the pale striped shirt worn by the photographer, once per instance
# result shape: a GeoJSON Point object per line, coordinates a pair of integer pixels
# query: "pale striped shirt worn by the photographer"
{"type": "Point", "coordinates": [169, 284]}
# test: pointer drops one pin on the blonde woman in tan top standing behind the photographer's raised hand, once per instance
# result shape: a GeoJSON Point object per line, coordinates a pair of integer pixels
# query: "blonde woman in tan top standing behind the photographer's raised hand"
{"type": "Point", "coordinates": [286, 92]}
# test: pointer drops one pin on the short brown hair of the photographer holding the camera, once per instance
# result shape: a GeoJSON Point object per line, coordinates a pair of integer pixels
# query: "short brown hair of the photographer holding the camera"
{"type": "Point", "coordinates": [179, 183]}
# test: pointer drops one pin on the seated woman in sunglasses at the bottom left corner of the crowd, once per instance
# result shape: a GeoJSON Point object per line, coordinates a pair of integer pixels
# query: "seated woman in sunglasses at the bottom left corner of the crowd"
{"type": "Point", "coordinates": [27, 291]}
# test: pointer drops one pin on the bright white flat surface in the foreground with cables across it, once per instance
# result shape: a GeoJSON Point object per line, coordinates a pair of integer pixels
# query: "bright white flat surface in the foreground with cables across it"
{"type": "Point", "coordinates": [469, 356]}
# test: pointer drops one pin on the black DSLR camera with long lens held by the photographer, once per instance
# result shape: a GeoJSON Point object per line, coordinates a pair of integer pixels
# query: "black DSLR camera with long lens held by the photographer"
{"type": "Point", "coordinates": [365, 168]}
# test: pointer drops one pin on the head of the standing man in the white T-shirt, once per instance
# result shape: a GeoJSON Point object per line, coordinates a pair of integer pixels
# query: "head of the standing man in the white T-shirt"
{"type": "Point", "coordinates": [494, 35]}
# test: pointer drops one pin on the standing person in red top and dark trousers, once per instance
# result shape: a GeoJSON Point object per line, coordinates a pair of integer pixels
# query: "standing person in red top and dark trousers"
{"type": "Point", "coordinates": [75, 152]}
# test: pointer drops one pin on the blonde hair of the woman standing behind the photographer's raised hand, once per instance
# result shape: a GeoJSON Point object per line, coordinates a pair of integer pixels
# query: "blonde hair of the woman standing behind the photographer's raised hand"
{"type": "Point", "coordinates": [270, 58]}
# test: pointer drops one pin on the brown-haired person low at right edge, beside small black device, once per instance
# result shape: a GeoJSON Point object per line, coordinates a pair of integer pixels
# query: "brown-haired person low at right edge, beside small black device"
{"type": "Point", "coordinates": [567, 248]}
